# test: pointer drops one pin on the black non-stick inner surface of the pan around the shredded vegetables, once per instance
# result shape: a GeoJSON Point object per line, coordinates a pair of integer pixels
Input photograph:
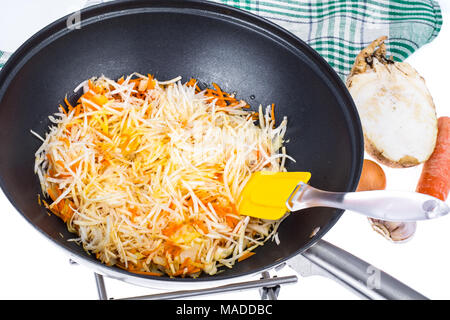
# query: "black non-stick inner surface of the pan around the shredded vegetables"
{"type": "Point", "coordinates": [212, 43]}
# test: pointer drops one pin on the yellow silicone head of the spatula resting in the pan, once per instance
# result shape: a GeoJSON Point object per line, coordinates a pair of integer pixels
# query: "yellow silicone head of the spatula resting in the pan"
{"type": "Point", "coordinates": [265, 194]}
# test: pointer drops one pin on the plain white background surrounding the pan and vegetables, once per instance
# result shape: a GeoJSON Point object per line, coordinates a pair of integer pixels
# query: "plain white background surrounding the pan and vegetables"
{"type": "Point", "coordinates": [33, 268]}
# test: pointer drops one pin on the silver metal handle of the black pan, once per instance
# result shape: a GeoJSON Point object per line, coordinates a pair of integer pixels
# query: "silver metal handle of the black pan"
{"type": "Point", "coordinates": [362, 278]}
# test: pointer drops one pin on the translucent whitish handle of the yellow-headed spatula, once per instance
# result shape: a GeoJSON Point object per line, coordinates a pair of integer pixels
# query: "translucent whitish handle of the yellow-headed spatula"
{"type": "Point", "coordinates": [383, 205]}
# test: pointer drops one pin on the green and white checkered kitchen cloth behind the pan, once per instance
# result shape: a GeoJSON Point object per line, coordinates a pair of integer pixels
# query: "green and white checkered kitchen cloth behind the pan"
{"type": "Point", "coordinates": [339, 29]}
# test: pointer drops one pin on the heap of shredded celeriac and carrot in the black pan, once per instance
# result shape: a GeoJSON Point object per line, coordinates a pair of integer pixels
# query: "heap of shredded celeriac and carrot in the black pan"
{"type": "Point", "coordinates": [148, 173]}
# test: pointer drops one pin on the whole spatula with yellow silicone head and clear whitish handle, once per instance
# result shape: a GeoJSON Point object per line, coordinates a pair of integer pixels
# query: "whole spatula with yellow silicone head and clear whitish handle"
{"type": "Point", "coordinates": [269, 195]}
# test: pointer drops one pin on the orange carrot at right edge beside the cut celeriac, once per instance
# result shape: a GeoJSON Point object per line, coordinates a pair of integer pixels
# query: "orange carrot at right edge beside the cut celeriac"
{"type": "Point", "coordinates": [435, 177]}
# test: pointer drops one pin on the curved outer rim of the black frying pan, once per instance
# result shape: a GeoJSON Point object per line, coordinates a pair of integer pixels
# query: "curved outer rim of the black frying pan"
{"type": "Point", "coordinates": [279, 34]}
